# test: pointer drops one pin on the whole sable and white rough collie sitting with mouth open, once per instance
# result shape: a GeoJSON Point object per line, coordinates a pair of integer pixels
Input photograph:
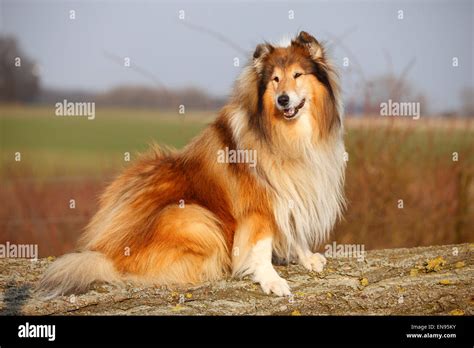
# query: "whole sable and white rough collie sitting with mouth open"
{"type": "Point", "coordinates": [186, 217]}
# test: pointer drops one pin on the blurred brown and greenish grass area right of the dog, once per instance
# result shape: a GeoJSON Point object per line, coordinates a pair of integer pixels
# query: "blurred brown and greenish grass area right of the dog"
{"type": "Point", "coordinates": [391, 161]}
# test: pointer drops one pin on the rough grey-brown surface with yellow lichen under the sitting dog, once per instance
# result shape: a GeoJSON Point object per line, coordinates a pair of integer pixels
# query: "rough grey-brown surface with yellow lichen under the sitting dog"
{"type": "Point", "coordinates": [435, 280]}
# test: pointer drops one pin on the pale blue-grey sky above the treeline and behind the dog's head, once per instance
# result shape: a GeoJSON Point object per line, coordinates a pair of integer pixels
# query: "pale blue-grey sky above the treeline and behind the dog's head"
{"type": "Point", "coordinates": [71, 52]}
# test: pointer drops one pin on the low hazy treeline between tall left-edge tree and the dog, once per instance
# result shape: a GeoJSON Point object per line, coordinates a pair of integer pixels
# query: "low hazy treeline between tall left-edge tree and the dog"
{"type": "Point", "coordinates": [137, 96]}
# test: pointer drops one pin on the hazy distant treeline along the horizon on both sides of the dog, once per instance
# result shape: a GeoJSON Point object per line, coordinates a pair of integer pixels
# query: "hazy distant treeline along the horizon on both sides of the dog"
{"type": "Point", "coordinates": [20, 82]}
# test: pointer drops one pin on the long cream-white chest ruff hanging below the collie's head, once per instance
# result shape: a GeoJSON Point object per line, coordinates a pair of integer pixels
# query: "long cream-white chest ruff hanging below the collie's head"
{"type": "Point", "coordinates": [308, 198]}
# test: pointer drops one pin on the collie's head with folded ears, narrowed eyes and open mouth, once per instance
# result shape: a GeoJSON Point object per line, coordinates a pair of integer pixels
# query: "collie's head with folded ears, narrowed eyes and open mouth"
{"type": "Point", "coordinates": [296, 90]}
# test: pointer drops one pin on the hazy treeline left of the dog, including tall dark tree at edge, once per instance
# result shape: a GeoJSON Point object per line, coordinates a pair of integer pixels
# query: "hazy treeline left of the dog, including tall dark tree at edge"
{"type": "Point", "coordinates": [20, 82]}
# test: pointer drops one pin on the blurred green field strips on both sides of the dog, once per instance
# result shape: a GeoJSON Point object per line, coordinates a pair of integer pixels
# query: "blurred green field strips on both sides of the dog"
{"type": "Point", "coordinates": [49, 143]}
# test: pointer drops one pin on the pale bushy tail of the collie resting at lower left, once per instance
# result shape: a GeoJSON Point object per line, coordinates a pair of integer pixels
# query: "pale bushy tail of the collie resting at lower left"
{"type": "Point", "coordinates": [74, 273]}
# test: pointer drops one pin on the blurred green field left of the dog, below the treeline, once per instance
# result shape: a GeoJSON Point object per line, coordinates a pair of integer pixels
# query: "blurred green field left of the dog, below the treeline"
{"type": "Point", "coordinates": [75, 144]}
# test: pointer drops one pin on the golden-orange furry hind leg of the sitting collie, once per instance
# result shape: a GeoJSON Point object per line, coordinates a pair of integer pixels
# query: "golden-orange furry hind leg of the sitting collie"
{"type": "Point", "coordinates": [187, 247]}
